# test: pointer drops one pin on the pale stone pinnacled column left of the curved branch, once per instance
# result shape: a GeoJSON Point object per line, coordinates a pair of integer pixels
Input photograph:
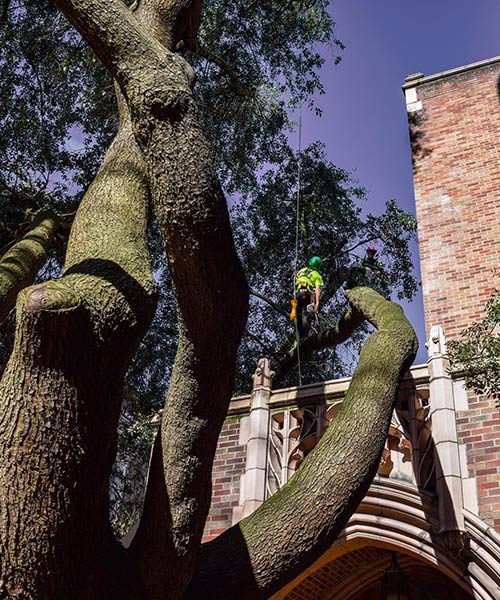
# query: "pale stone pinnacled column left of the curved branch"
{"type": "Point", "coordinates": [253, 488]}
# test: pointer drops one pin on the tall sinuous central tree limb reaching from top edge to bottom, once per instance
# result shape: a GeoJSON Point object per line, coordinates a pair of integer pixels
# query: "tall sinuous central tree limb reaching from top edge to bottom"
{"type": "Point", "coordinates": [212, 301]}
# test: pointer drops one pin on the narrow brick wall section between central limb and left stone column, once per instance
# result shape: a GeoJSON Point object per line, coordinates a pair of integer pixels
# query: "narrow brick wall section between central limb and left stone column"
{"type": "Point", "coordinates": [228, 467]}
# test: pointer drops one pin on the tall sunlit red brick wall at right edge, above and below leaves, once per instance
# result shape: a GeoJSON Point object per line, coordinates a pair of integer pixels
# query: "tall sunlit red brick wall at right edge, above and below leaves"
{"type": "Point", "coordinates": [456, 152]}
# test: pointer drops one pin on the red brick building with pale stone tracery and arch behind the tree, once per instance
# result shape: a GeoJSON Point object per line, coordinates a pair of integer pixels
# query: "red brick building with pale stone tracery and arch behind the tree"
{"type": "Point", "coordinates": [435, 503]}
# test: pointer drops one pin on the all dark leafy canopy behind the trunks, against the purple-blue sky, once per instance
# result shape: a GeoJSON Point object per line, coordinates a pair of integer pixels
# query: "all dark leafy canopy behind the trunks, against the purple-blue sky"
{"type": "Point", "coordinates": [60, 114]}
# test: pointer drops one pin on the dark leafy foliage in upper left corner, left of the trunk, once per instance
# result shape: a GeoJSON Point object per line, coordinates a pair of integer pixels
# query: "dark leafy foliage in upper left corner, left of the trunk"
{"type": "Point", "coordinates": [57, 115]}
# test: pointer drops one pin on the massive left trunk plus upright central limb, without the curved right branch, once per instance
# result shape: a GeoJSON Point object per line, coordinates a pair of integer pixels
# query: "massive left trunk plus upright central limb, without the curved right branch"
{"type": "Point", "coordinates": [61, 392]}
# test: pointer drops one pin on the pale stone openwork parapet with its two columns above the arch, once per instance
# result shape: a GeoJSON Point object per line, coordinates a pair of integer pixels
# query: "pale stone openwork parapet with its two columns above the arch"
{"type": "Point", "coordinates": [282, 426]}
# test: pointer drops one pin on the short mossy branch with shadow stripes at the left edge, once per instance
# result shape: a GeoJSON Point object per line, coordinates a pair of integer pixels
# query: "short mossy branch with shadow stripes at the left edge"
{"type": "Point", "coordinates": [20, 264]}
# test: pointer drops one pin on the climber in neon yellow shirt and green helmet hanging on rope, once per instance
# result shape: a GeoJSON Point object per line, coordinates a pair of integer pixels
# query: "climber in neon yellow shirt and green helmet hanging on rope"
{"type": "Point", "coordinates": [308, 282]}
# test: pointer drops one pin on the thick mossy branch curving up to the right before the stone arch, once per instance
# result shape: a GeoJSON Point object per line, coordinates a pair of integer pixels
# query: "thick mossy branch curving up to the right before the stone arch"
{"type": "Point", "coordinates": [300, 522]}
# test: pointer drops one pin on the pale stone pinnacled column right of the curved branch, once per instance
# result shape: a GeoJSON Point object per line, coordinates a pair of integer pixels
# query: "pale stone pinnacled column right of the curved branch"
{"type": "Point", "coordinates": [444, 433]}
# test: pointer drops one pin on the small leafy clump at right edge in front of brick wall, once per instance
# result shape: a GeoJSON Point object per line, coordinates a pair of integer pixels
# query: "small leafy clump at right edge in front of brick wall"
{"type": "Point", "coordinates": [477, 354]}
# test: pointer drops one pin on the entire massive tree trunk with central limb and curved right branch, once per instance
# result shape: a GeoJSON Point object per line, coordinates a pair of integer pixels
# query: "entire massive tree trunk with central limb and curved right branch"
{"type": "Point", "coordinates": [61, 392]}
